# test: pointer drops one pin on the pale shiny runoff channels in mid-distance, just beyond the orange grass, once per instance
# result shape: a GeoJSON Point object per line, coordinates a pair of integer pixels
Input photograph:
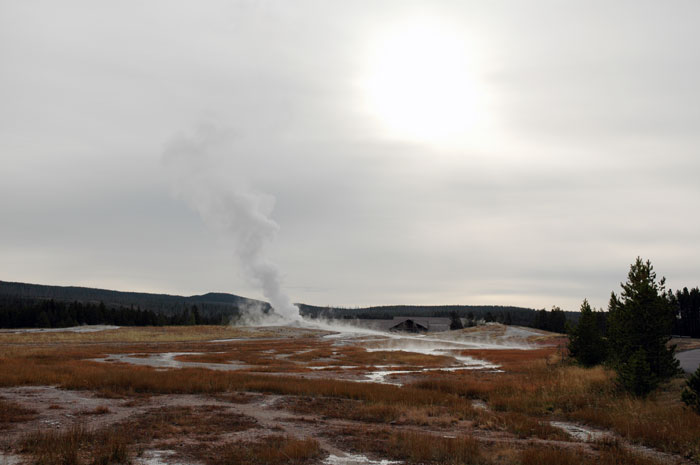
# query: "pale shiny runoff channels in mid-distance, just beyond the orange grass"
{"type": "Point", "coordinates": [438, 345]}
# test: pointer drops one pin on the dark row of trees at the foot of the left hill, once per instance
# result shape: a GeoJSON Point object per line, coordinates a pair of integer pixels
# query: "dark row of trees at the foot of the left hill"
{"type": "Point", "coordinates": [26, 313]}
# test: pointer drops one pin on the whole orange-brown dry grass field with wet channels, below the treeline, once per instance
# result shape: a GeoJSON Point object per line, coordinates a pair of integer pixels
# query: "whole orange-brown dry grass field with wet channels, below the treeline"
{"type": "Point", "coordinates": [218, 395]}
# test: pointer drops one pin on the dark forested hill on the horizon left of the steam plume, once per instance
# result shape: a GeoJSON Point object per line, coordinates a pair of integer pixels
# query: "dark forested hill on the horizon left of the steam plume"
{"type": "Point", "coordinates": [165, 304]}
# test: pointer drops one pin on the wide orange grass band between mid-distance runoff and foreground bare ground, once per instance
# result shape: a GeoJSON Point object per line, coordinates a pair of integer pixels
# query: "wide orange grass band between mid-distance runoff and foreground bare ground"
{"type": "Point", "coordinates": [522, 399]}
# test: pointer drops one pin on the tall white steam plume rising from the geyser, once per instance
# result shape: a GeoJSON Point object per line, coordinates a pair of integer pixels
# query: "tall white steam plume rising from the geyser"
{"type": "Point", "coordinates": [231, 208]}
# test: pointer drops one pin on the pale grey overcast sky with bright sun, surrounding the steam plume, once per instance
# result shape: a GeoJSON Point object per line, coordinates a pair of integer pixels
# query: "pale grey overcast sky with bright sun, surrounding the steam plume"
{"type": "Point", "coordinates": [515, 153]}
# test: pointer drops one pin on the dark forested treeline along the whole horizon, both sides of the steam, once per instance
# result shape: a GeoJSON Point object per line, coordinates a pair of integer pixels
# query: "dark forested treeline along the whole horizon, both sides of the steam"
{"type": "Point", "coordinates": [32, 305]}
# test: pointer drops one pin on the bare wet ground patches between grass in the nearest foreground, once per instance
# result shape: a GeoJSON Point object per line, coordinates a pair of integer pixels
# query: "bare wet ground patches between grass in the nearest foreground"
{"type": "Point", "coordinates": [58, 409]}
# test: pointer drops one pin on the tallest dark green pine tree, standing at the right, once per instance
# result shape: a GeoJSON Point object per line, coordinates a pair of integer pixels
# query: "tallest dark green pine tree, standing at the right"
{"type": "Point", "coordinates": [639, 329]}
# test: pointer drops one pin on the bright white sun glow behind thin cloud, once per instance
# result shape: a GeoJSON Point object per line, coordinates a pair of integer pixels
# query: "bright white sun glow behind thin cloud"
{"type": "Point", "coordinates": [420, 83]}
